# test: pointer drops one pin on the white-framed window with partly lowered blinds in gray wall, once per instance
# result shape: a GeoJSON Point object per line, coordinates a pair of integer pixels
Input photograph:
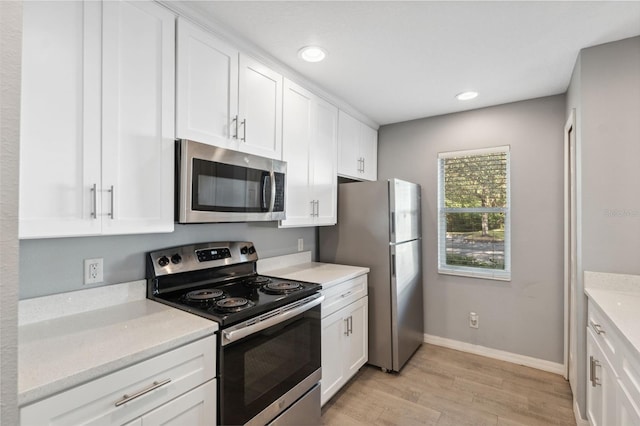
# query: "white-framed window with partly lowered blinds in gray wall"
{"type": "Point", "coordinates": [474, 214]}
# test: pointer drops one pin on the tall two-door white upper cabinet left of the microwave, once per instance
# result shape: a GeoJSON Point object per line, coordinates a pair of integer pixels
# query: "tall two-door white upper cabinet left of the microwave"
{"type": "Point", "coordinates": [96, 148]}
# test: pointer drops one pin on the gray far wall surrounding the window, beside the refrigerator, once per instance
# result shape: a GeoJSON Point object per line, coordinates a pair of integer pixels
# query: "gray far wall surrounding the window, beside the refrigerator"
{"type": "Point", "coordinates": [524, 316]}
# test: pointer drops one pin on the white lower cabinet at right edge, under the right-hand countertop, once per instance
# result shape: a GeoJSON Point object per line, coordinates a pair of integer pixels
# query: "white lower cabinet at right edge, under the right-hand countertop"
{"type": "Point", "coordinates": [613, 374]}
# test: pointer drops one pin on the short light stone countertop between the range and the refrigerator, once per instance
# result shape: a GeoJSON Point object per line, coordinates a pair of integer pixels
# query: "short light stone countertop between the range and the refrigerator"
{"type": "Point", "coordinates": [300, 267]}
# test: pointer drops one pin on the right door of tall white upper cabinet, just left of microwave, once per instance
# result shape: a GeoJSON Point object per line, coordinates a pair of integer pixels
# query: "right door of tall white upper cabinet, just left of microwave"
{"type": "Point", "coordinates": [138, 110]}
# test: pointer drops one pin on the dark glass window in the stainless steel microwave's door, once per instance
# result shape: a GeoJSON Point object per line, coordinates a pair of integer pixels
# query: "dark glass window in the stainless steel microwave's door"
{"type": "Point", "coordinates": [226, 188]}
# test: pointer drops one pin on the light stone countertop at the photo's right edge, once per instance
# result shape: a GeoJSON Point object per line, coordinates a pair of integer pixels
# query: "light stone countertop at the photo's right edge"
{"type": "Point", "coordinates": [618, 296]}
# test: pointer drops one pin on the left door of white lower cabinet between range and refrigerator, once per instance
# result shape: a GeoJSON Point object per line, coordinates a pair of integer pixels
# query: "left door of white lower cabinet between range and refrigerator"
{"type": "Point", "coordinates": [334, 329]}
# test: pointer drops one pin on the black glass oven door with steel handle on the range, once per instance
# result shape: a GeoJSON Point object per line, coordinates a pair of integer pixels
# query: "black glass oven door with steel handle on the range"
{"type": "Point", "coordinates": [269, 365]}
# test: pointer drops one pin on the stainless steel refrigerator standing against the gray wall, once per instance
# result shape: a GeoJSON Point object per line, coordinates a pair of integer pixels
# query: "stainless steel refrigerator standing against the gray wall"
{"type": "Point", "coordinates": [379, 227]}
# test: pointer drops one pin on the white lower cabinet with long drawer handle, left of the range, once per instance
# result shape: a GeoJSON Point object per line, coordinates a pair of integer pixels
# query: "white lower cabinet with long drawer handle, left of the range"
{"type": "Point", "coordinates": [174, 388]}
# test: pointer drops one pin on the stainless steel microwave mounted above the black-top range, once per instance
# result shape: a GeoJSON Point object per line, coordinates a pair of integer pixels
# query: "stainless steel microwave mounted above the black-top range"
{"type": "Point", "coordinates": [220, 185]}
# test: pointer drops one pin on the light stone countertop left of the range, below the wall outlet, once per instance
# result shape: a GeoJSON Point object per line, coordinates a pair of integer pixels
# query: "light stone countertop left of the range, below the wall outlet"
{"type": "Point", "coordinates": [61, 352]}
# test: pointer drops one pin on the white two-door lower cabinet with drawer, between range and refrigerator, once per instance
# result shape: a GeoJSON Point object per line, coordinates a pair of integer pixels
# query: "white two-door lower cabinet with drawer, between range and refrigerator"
{"type": "Point", "coordinates": [344, 334]}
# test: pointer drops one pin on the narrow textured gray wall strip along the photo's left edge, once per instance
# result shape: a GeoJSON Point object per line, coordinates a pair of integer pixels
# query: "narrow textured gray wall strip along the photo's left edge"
{"type": "Point", "coordinates": [10, 46]}
